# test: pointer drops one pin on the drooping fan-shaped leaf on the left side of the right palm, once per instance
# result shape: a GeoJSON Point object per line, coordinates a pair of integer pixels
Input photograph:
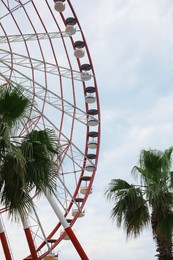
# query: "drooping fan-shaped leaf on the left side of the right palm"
{"type": "Point", "coordinates": [130, 209]}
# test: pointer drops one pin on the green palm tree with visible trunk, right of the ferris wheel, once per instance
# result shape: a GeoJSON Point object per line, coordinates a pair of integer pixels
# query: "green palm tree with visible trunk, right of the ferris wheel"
{"type": "Point", "coordinates": [148, 203]}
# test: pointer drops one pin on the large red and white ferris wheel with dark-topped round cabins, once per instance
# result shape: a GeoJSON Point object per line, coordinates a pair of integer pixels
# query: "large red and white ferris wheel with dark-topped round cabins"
{"type": "Point", "coordinates": [43, 49]}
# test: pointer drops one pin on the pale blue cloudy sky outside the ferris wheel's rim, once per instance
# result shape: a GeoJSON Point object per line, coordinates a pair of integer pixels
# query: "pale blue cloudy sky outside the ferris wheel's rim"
{"type": "Point", "coordinates": [130, 42]}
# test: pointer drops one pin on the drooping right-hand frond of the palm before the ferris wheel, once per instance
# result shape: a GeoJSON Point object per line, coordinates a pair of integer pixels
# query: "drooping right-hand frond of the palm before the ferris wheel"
{"type": "Point", "coordinates": [40, 167]}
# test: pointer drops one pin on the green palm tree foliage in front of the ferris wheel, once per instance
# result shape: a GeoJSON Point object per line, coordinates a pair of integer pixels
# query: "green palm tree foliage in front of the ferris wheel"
{"type": "Point", "coordinates": [24, 161]}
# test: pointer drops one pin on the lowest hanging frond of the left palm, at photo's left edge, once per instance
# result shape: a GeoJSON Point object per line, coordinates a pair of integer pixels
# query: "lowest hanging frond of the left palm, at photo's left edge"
{"type": "Point", "coordinates": [12, 193]}
